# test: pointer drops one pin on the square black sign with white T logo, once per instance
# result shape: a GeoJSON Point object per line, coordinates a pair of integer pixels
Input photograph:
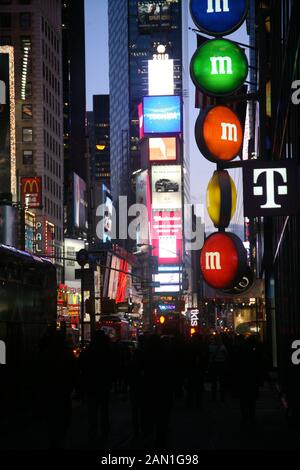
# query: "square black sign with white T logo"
{"type": "Point", "coordinates": [271, 188]}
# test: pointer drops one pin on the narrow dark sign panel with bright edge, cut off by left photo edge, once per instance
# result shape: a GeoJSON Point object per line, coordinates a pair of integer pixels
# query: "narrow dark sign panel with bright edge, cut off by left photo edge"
{"type": "Point", "coordinates": [4, 124]}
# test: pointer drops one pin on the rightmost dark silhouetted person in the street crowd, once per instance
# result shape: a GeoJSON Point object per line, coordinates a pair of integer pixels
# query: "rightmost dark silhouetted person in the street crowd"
{"type": "Point", "coordinates": [249, 376]}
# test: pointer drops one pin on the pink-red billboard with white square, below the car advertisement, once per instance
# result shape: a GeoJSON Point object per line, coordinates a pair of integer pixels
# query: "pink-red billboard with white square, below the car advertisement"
{"type": "Point", "coordinates": [167, 236]}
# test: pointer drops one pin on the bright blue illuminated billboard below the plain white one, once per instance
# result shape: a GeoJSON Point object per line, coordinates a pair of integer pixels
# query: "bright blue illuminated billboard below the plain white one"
{"type": "Point", "coordinates": [161, 115]}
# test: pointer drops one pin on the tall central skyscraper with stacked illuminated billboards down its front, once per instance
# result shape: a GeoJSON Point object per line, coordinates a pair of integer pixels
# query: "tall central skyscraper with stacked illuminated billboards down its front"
{"type": "Point", "coordinates": [149, 158]}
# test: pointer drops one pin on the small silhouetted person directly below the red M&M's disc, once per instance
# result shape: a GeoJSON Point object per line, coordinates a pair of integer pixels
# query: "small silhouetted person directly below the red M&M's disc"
{"type": "Point", "coordinates": [218, 357]}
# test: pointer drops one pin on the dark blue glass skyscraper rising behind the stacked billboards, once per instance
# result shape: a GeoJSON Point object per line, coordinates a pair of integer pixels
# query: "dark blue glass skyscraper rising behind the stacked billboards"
{"type": "Point", "coordinates": [134, 37]}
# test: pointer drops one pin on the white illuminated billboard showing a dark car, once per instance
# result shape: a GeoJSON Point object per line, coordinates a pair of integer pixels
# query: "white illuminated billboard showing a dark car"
{"type": "Point", "coordinates": [166, 187]}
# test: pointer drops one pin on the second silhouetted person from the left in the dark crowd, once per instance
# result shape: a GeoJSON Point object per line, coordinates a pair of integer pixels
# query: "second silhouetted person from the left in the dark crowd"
{"type": "Point", "coordinates": [98, 365]}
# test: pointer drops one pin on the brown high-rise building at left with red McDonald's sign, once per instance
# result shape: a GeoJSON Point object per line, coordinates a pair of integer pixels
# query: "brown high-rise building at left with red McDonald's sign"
{"type": "Point", "coordinates": [33, 29]}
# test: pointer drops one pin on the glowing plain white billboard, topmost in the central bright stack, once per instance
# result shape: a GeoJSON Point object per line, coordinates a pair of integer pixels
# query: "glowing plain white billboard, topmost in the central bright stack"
{"type": "Point", "coordinates": [160, 77]}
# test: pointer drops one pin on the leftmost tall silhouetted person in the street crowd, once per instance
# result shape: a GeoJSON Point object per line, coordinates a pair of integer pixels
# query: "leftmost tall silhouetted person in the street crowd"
{"type": "Point", "coordinates": [56, 375]}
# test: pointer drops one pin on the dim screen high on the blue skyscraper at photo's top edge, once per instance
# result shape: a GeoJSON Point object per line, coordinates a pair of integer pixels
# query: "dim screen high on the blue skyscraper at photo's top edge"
{"type": "Point", "coordinates": [154, 16]}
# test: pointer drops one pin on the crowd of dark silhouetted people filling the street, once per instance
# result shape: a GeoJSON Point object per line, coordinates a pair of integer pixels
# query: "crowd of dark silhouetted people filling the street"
{"type": "Point", "coordinates": [152, 377]}
